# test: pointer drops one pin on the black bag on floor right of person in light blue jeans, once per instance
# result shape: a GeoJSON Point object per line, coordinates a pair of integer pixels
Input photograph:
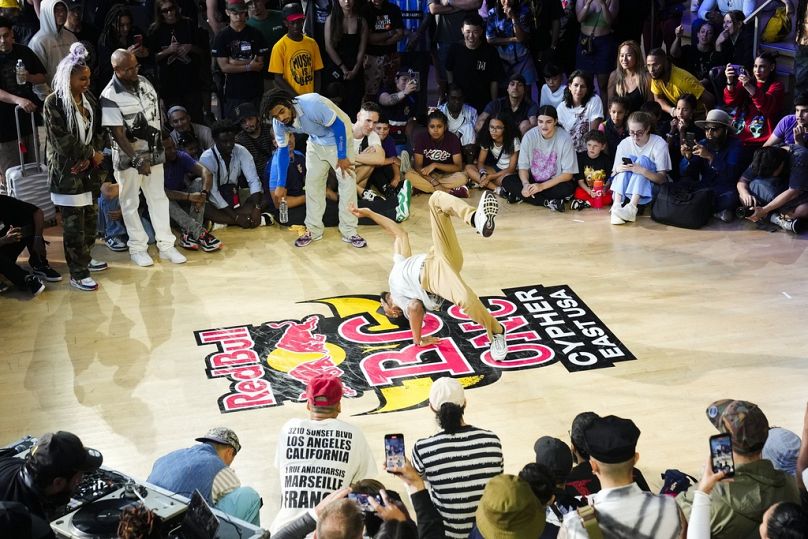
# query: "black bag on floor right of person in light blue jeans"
{"type": "Point", "coordinates": [683, 206]}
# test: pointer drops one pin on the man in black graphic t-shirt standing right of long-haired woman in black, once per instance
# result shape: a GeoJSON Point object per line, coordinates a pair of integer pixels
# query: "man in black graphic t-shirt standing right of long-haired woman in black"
{"type": "Point", "coordinates": [386, 27]}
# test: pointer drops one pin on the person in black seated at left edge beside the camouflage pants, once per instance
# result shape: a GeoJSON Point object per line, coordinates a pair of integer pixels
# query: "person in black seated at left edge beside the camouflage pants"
{"type": "Point", "coordinates": [21, 226]}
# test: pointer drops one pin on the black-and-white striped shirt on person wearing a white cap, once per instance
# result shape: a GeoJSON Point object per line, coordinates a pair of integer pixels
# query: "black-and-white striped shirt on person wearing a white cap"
{"type": "Point", "coordinates": [457, 467]}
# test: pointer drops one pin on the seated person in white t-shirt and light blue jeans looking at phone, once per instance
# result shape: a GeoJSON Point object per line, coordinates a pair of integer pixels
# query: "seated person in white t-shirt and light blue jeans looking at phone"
{"type": "Point", "coordinates": [648, 162]}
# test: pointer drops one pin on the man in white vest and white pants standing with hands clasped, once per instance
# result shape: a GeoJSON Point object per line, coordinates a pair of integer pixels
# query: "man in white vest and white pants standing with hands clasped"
{"type": "Point", "coordinates": [130, 108]}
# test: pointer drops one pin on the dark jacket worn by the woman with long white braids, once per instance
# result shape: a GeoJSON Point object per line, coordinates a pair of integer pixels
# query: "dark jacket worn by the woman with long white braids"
{"type": "Point", "coordinates": [65, 149]}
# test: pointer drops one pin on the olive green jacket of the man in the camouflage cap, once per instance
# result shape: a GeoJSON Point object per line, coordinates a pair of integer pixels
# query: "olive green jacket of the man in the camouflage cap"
{"type": "Point", "coordinates": [737, 507]}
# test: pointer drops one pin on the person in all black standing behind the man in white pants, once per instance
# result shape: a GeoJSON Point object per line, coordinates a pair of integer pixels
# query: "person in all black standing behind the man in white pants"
{"type": "Point", "coordinates": [179, 56]}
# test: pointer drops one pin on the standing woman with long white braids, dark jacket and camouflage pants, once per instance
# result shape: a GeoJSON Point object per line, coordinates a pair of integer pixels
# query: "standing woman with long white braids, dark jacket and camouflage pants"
{"type": "Point", "coordinates": [73, 126]}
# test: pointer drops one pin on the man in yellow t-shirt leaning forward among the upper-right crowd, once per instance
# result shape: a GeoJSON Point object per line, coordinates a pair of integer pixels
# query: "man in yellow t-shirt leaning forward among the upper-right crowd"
{"type": "Point", "coordinates": [669, 82]}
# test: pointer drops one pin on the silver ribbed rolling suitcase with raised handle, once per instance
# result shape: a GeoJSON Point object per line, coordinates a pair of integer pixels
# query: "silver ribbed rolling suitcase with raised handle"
{"type": "Point", "coordinates": [29, 182]}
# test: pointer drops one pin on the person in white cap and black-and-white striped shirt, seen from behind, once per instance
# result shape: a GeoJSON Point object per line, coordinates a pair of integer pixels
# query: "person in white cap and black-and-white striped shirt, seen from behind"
{"type": "Point", "coordinates": [458, 461]}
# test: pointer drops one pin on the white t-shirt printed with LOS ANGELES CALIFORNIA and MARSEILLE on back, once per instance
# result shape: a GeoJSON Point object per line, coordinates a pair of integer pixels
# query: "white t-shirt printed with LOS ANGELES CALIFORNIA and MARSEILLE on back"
{"type": "Point", "coordinates": [315, 458]}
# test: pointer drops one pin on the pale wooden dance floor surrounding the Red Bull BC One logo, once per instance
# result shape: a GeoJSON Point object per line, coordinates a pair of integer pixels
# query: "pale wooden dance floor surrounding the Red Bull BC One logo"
{"type": "Point", "coordinates": [710, 314]}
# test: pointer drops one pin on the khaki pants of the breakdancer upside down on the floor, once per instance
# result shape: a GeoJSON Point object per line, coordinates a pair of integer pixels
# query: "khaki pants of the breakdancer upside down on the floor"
{"type": "Point", "coordinates": [441, 273]}
